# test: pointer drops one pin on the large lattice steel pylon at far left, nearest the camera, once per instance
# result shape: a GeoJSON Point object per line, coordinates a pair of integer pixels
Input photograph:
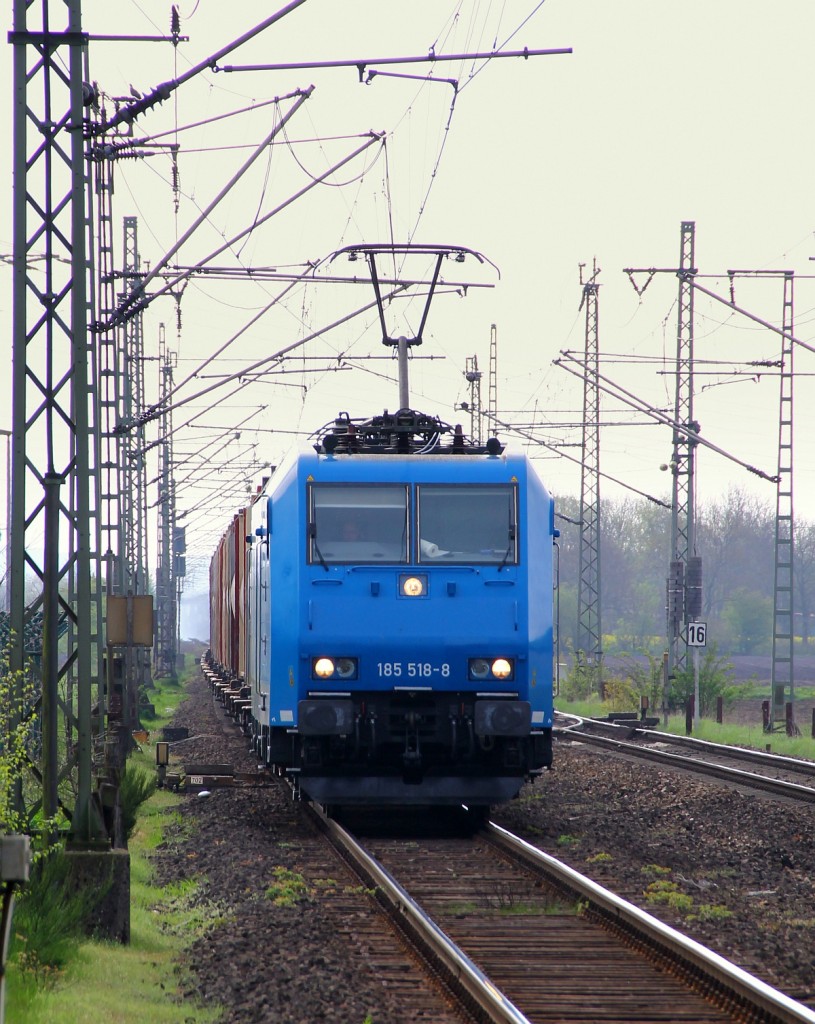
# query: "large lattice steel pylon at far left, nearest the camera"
{"type": "Point", "coordinates": [55, 467]}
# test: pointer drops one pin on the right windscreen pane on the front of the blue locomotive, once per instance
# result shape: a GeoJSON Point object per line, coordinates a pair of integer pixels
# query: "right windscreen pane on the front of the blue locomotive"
{"type": "Point", "coordinates": [468, 524]}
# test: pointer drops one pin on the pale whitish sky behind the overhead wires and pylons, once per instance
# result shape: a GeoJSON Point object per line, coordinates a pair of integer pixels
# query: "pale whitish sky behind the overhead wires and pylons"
{"type": "Point", "coordinates": [664, 112]}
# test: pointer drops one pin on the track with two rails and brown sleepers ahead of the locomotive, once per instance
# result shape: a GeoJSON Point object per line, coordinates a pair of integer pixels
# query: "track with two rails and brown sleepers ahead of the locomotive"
{"type": "Point", "coordinates": [520, 937]}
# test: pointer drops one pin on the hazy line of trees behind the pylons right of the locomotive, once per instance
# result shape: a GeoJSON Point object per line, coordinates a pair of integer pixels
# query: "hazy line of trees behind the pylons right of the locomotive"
{"type": "Point", "coordinates": [736, 538]}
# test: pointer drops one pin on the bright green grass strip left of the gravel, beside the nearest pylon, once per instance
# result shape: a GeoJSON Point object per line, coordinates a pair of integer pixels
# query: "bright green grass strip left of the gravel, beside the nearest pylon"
{"type": "Point", "coordinates": [140, 983]}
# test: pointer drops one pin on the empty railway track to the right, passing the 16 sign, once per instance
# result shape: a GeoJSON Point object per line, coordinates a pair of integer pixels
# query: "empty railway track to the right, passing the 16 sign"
{"type": "Point", "coordinates": [782, 777]}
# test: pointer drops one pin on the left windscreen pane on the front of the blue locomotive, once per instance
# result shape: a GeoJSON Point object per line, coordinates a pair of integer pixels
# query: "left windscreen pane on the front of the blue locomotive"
{"type": "Point", "coordinates": [358, 524]}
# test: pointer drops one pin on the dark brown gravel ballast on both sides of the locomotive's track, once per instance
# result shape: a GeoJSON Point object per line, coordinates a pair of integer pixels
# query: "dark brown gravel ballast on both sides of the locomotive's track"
{"type": "Point", "coordinates": [733, 870]}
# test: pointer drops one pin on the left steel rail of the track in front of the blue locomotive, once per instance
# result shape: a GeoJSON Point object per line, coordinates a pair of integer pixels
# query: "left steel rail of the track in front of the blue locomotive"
{"type": "Point", "coordinates": [462, 973]}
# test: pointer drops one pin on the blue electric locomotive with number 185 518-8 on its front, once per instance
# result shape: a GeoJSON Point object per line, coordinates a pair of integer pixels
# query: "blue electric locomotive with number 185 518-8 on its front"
{"type": "Point", "coordinates": [398, 595]}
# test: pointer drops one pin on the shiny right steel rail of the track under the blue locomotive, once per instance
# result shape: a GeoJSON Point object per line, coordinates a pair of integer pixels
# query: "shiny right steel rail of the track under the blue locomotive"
{"type": "Point", "coordinates": [745, 987]}
